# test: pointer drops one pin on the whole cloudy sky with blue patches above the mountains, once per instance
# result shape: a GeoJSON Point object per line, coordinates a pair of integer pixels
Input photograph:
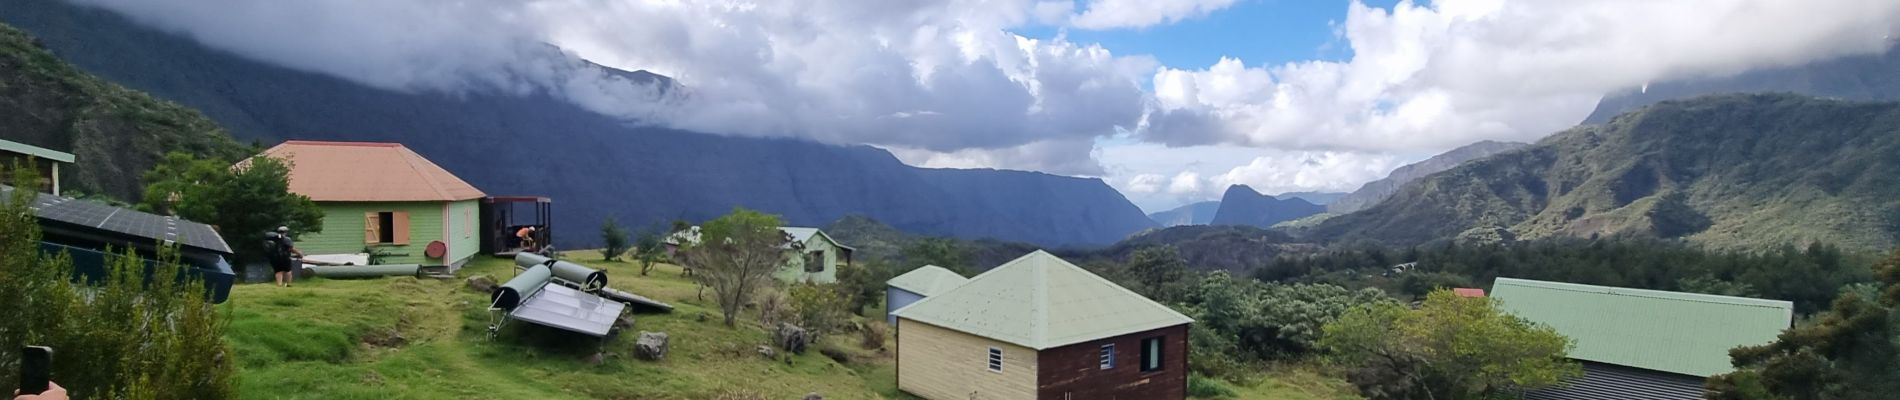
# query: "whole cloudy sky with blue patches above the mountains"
{"type": "Point", "coordinates": [1169, 101]}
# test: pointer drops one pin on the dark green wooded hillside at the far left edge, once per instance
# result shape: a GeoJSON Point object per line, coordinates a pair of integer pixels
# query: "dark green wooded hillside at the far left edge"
{"type": "Point", "coordinates": [115, 134]}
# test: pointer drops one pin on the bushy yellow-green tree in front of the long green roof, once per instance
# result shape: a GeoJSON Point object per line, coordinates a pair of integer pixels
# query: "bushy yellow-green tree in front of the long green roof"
{"type": "Point", "coordinates": [1451, 348]}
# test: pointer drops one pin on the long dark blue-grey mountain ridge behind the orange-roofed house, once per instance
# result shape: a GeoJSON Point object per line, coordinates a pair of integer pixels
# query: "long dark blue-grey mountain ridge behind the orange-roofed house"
{"type": "Point", "coordinates": [594, 166]}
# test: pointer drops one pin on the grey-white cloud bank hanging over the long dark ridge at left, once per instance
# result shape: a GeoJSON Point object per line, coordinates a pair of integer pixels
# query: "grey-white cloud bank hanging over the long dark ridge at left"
{"type": "Point", "coordinates": [941, 77]}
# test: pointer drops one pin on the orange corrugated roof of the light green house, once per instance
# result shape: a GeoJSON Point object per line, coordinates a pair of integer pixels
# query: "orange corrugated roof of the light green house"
{"type": "Point", "coordinates": [368, 172]}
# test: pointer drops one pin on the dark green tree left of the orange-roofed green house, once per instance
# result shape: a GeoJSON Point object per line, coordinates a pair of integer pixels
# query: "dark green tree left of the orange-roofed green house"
{"type": "Point", "coordinates": [242, 202]}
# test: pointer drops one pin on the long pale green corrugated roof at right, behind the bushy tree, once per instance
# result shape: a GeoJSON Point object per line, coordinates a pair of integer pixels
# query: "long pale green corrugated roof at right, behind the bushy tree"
{"type": "Point", "coordinates": [1660, 331]}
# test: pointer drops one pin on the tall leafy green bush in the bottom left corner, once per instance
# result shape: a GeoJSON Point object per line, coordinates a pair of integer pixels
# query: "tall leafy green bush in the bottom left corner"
{"type": "Point", "coordinates": [126, 336]}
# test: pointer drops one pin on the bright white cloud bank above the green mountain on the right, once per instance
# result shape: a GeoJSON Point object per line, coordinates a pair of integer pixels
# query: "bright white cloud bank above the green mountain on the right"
{"type": "Point", "coordinates": [1462, 71]}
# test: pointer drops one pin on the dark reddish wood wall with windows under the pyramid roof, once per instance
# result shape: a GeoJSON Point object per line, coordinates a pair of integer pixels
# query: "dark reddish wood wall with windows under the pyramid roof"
{"type": "Point", "coordinates": [1073, 373]}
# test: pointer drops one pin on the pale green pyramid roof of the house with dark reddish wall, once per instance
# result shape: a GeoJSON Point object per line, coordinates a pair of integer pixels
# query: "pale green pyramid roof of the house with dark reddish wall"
{"type": "Point", "coordinates": [1042, 302]}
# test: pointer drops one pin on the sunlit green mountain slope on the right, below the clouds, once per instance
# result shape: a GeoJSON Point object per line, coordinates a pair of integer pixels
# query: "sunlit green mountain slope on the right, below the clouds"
{"type": "Point", "coordinates": [1732, 172]}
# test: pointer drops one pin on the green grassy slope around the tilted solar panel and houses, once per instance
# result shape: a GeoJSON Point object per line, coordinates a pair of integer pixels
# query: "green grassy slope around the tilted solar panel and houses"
{"type": "Point", "coordinates": [423, 338]}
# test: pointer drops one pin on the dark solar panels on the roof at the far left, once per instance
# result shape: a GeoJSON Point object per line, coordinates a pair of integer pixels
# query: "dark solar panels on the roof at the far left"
{"type": "Point", "coordinates": [124, 221]}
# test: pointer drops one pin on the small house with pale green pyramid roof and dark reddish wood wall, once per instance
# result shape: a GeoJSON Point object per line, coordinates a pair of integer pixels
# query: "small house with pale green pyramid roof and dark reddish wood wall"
{"type": "Point", "coordinates": [1040, 327]}
